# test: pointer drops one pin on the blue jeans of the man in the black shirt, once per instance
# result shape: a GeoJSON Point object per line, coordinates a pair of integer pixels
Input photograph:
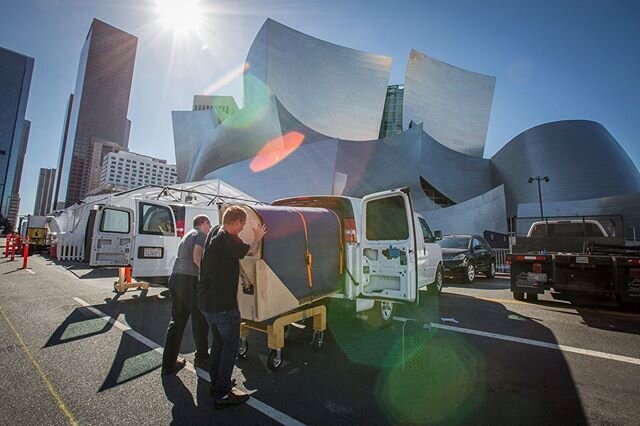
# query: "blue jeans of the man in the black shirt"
{"type": "Point", "coordinates": [225, 327]}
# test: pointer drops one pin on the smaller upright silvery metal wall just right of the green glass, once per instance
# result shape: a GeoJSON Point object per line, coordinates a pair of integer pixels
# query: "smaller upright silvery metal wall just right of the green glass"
{"type": "Point", "coordinates": [454, 104]}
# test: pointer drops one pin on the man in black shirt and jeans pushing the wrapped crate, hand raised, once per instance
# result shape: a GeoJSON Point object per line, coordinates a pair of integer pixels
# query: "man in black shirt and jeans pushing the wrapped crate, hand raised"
{"type": "Point", "coordinates": [217, 298]}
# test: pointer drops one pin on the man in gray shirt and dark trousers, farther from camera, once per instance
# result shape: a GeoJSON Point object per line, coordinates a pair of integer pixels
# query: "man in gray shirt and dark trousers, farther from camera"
{"type": "Point", "coordinates": [183, 285]}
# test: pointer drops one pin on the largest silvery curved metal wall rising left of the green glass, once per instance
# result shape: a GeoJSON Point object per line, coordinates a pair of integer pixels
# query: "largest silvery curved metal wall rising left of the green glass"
{"type": "Point", "coordinates": [334, 90]}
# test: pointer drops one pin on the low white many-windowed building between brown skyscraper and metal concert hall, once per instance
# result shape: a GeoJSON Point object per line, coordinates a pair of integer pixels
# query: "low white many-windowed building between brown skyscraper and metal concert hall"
{"type": "Point", "coordinates": [130, 170]}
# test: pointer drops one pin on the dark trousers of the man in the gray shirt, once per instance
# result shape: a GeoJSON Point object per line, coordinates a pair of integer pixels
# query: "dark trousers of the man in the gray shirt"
{"type": "Point", "coordinates": [184, 304]}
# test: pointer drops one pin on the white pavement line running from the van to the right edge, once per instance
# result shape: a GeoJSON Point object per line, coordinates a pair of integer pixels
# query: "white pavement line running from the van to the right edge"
{"type": "Point", "coordinates": [531, 342]}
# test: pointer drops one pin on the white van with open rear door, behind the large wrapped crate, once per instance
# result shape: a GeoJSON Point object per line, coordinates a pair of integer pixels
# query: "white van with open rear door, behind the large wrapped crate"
{"type": "Point", "coordinates": [377, 228]}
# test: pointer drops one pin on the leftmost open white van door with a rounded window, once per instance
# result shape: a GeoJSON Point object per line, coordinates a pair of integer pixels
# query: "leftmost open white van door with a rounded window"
{"type": "Point", "coordinates": [112, 240]}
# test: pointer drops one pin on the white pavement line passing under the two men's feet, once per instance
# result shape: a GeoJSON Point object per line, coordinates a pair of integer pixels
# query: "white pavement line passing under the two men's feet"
{"type": "Point", "coordinates": [254, 403]}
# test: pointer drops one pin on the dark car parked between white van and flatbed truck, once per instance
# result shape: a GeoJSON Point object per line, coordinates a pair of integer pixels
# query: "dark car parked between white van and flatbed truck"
{"type": "Point", "coordinates": [466, 255]}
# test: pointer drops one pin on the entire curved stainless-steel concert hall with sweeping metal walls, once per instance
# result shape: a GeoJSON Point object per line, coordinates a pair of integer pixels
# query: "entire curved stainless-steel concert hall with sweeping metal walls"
{"type": "Point", "coordinates": [310, 126]}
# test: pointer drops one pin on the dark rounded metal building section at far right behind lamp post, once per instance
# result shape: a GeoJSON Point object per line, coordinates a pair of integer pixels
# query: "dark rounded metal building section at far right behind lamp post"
{"type": "Point", "coordinates": [580, 157]}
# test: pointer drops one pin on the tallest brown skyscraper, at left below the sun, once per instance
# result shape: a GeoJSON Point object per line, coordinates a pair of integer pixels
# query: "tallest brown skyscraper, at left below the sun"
{"type": "Point", "coordinates": [99, 108]}
